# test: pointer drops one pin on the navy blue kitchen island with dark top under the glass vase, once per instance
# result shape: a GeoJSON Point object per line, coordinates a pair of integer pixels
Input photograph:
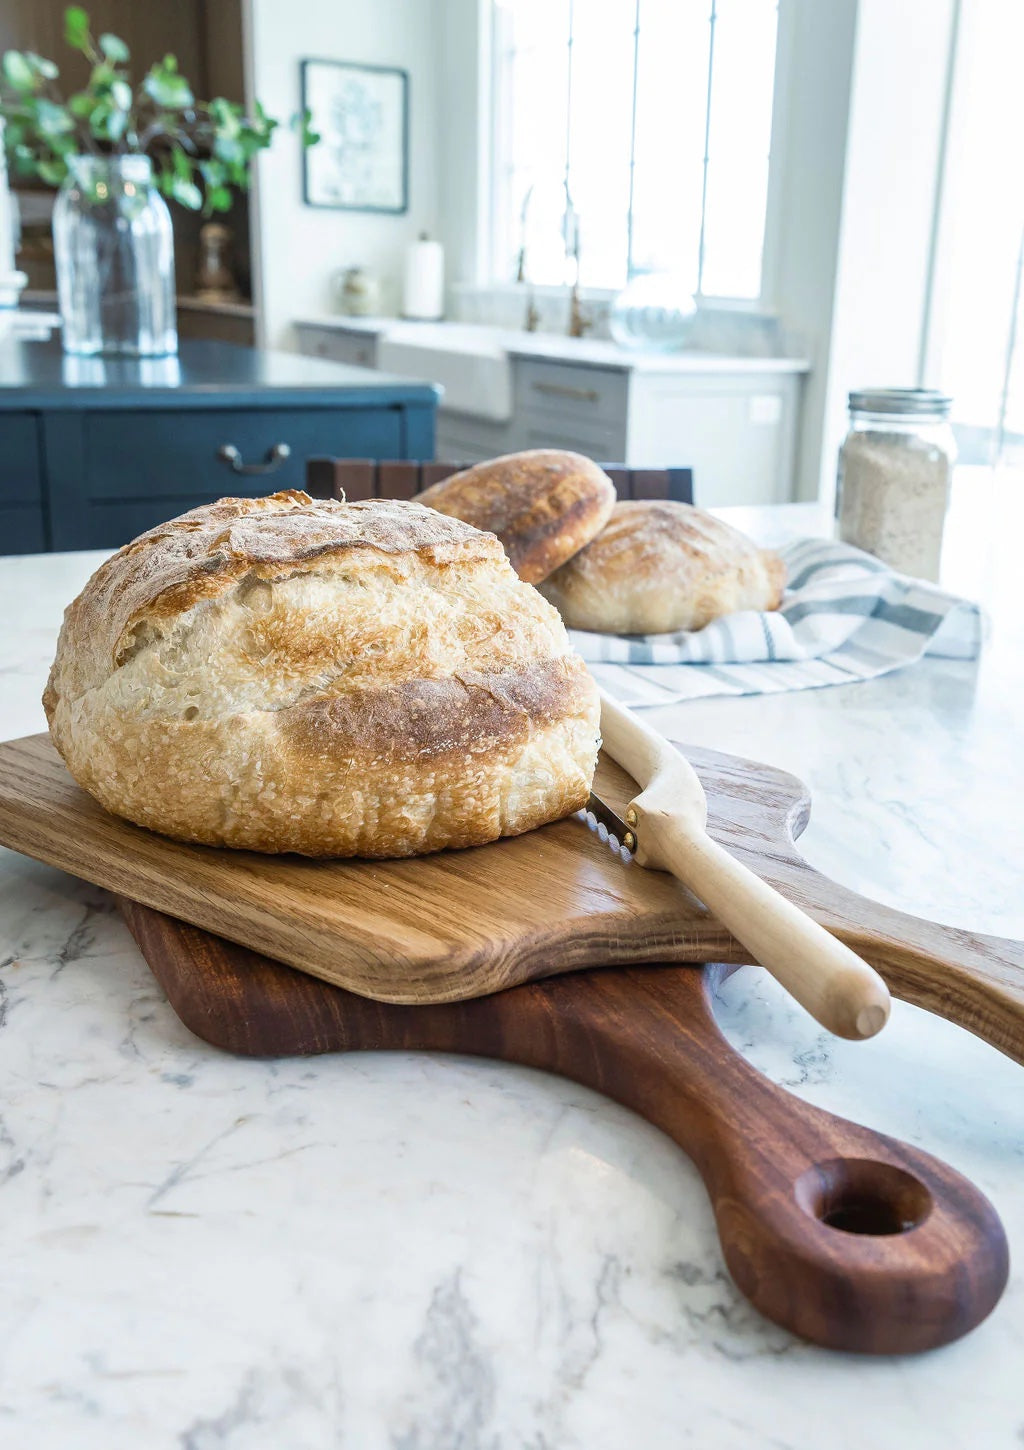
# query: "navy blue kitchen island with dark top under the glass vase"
{"type": "Point", "coordinates": [96, 450]}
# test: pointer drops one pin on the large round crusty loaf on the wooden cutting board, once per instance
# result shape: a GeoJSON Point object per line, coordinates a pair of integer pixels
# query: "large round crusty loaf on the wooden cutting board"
{"type": "Point", "coordinates": [336, 679]}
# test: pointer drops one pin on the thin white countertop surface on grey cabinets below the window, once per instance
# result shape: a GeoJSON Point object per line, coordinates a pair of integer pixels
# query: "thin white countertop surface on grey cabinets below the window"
{"type": "Point", "coordinates": [481, 339]}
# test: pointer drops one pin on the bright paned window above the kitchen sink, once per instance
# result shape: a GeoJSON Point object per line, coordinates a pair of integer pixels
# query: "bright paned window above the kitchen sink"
{"type": "Point", "coordinates": [655, 120]}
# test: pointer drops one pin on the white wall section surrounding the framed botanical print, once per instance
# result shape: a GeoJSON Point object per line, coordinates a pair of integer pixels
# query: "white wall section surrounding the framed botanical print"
{"type": "Point", "coordinates": [298, 249]}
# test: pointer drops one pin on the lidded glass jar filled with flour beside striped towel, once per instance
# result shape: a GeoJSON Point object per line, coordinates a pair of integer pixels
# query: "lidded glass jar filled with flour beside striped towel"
{"type": "Point", "coordinates": [894, 478]}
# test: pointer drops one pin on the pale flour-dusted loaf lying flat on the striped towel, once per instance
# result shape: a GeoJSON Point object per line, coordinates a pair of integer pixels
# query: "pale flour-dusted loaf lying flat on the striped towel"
{"type": "Point", "coordinates": [661, 566]}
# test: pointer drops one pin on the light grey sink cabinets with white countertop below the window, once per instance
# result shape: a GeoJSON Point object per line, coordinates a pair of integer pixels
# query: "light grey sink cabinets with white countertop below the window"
{"type": "Point", "coordinates": [733, 420]}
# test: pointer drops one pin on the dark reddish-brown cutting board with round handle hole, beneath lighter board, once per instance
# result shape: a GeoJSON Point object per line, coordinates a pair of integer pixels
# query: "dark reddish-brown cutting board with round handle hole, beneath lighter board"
{"type": "Point", "coordinates": [841, 1235]}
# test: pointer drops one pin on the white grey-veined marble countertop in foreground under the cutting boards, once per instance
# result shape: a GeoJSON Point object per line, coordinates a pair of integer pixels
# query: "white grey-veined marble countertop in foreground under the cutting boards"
{"type": "Point", "coordinates": [397, 1251]}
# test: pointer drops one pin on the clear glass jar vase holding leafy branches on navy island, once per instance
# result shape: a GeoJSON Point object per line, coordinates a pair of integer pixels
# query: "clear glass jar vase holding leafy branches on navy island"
{"type": "Point", "coordinates": [115, 259]}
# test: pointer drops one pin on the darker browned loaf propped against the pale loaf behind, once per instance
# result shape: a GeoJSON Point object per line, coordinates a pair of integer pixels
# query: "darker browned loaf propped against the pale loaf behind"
{"type": "Point", "coordinates": [543, 505]}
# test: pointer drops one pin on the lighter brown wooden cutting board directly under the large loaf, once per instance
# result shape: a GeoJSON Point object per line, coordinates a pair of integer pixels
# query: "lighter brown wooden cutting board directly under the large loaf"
{"type": "Point", "coordinates": [463, 924]}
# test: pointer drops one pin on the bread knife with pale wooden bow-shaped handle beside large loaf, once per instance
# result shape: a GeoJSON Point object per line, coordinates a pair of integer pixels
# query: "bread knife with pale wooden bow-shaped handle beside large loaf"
{"type": "Point", "coordinates": [665, 829]}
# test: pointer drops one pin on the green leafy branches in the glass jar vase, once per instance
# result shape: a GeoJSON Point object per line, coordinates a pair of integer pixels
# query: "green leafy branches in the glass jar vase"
{"type": "Point", "coordinates": [201, 150]}
